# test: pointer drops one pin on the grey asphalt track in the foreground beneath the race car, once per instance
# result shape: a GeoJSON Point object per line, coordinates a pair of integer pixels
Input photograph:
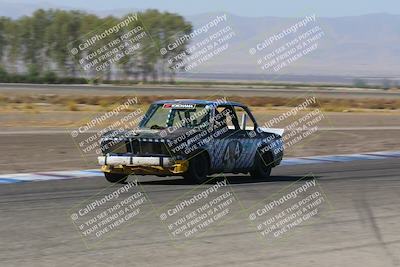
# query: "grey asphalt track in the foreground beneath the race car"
{"type": "Point", "coordinates": [361, 227]}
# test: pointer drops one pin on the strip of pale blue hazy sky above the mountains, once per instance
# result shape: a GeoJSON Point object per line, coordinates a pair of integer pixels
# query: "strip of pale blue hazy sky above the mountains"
{"type": "Point", "coordinates": [253, 8]}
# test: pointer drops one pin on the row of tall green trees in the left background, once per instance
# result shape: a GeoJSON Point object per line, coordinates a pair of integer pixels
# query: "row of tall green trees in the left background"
{"type": "Point", "coordinates": [37, 48]}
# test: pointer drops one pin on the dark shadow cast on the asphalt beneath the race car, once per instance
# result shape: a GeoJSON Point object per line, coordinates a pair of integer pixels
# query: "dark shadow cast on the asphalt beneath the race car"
{"type": "Point", "coordinates": [244, 179]}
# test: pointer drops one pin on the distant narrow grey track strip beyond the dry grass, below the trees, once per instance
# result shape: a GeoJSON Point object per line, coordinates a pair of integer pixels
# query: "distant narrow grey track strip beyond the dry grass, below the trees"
{"type": "Point", "coordinates": [196, 91]}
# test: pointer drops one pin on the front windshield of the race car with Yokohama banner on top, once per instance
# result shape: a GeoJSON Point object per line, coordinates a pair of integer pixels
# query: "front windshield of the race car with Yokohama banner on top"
{"type": "Point", "coordinates": [161, 116]}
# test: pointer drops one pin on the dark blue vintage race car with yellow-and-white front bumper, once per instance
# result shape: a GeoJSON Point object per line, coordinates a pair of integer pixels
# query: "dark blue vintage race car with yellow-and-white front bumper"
{"type": "Point", "coordinates": [193, 139]}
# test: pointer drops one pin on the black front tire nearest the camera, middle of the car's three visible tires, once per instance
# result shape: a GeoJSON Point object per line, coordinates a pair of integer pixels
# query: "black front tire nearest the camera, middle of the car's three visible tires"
{"type": "Point", "coordinates": [198, 168]}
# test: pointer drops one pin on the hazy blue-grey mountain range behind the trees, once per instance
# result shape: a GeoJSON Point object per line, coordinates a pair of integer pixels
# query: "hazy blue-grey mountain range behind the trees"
{"type": "Point", "coordinates": [367, 45]}
